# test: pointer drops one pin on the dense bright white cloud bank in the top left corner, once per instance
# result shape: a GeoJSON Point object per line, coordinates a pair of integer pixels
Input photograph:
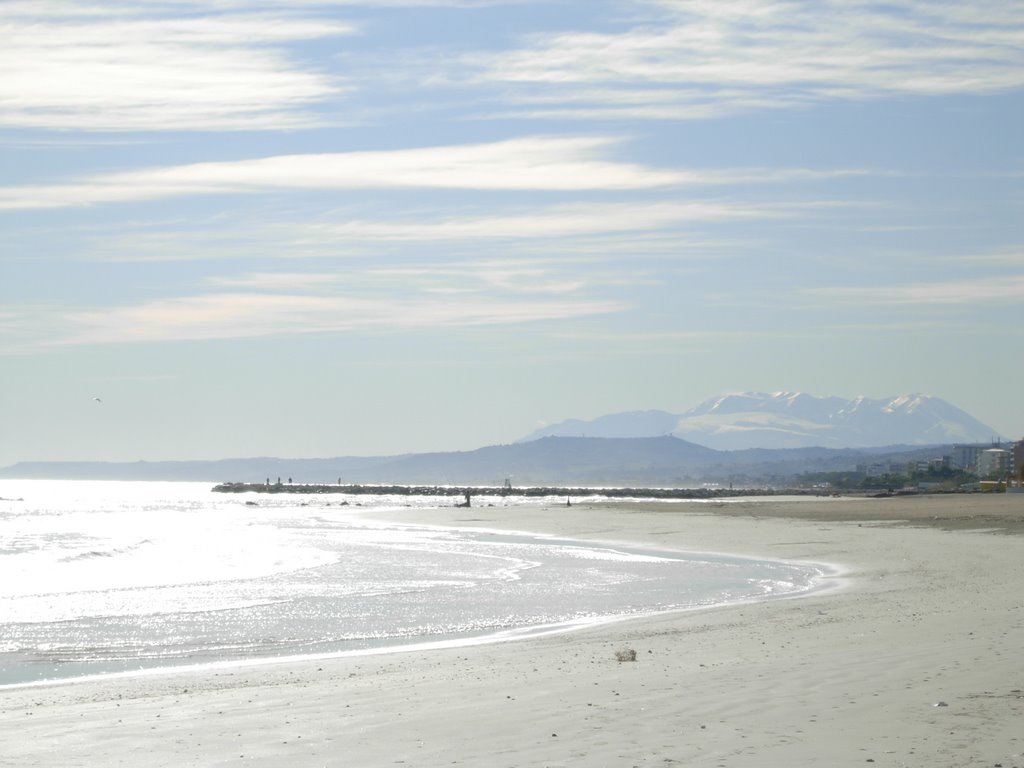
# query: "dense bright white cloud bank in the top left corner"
{"type": "Point", "coordinates": [112, 67]}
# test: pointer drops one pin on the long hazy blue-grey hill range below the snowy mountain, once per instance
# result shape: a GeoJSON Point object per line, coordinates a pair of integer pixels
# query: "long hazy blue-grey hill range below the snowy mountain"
{"type": "Point", "coordinates": [662, 461]}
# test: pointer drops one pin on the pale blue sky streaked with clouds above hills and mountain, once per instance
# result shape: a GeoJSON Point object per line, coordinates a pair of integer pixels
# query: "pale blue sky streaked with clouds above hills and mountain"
{"type": "Point", "coordinates": [316, 229]}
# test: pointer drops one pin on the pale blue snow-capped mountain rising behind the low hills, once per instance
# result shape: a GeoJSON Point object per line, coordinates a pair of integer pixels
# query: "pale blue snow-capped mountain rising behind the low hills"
{"type": "Point", "coordinates": [782, 420]}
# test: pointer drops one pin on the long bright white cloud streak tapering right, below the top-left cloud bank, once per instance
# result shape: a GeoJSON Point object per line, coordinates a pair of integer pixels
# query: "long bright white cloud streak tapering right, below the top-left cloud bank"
{"type": "Point", "coordinates": [535, 163]}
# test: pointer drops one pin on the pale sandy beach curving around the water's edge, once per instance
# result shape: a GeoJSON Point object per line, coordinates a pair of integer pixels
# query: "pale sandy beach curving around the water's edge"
{"type": "Point", "coordinates": [916, 658]}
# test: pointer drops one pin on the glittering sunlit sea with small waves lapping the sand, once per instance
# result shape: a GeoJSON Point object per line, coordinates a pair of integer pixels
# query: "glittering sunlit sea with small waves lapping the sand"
{"type": "Point", "coordinates": [102, 578]}
